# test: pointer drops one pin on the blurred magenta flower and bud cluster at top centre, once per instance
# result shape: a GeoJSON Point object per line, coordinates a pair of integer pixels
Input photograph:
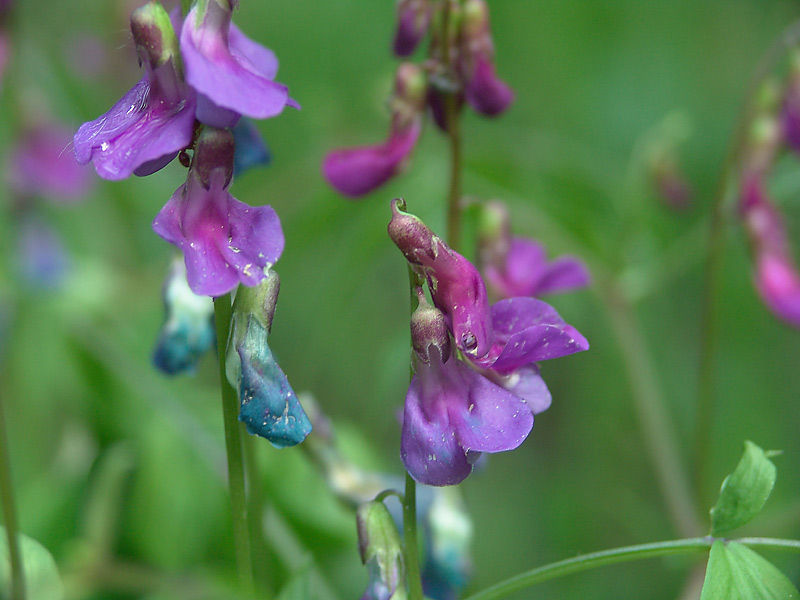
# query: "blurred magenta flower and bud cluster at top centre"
{"type": "Point", "coordinates": [460, 67]}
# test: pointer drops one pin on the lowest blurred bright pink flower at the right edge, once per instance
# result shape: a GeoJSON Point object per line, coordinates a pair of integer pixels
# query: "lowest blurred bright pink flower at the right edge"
{"type": "Point", "coordinates": [776, 275]}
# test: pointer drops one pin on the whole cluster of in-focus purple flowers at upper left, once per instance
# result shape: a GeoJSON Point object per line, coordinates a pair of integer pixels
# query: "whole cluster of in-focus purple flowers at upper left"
{"type": "Point", "coordinates": [196, 85]}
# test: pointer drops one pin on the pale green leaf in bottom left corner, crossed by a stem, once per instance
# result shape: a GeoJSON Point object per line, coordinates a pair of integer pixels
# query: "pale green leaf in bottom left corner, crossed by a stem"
{"type": "Point", "coordinates": [42, 581]}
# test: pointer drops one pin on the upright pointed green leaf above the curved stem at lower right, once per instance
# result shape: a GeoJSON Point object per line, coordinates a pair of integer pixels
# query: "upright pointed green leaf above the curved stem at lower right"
{"type": "Point", "coordinates": [744, 491]}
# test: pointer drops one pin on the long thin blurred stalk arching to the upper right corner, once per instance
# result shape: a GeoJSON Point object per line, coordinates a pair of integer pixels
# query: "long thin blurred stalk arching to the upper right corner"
{"type": "Point", "coordinates": [716, 253]}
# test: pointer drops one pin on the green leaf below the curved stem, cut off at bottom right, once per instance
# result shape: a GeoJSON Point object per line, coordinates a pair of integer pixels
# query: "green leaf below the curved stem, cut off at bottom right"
{"type": "Point", "coordinates": [737, 573]}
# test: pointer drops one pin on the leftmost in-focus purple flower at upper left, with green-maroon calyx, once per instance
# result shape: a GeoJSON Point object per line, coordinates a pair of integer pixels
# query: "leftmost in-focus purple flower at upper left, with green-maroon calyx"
{"type": "Point", "coordinates": [153, 121]}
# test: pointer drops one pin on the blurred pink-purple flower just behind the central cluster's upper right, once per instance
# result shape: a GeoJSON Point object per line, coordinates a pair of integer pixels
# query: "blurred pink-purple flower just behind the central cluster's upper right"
{"type": "Point", "coordinates": [515, 266]}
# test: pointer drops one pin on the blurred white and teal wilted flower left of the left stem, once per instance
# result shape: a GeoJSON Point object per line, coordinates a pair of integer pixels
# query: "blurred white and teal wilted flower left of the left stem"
{"type": "Point", "coordinates": [188, 330]}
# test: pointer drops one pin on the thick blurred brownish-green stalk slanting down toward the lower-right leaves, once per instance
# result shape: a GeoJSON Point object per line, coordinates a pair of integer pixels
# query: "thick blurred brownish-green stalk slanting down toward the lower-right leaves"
{"type": "Point", "coordinates": [658, 435]}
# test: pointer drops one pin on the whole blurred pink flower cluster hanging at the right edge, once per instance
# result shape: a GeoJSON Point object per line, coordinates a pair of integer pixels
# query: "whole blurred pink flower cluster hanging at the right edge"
{"type": "Point", "coordinates": [775, 127]}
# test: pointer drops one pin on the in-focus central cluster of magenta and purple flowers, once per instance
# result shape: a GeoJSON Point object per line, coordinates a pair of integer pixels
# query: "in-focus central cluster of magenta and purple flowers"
{"type": "Point", "coordinates": [477, 385]}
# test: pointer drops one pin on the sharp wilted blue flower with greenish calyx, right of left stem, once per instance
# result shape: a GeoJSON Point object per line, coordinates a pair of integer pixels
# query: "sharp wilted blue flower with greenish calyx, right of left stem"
{"type": "Point", "coordinates": [269, 406]}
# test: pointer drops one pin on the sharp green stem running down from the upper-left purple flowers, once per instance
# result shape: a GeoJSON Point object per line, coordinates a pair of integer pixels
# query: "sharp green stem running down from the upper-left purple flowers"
{"type": "Point", "coordinates": [233, 448]}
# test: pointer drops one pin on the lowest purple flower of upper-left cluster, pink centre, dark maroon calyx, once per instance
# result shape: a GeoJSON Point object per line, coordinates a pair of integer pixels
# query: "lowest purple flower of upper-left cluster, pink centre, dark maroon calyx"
{"type": "Point", "coordinates": [225, 242]}
